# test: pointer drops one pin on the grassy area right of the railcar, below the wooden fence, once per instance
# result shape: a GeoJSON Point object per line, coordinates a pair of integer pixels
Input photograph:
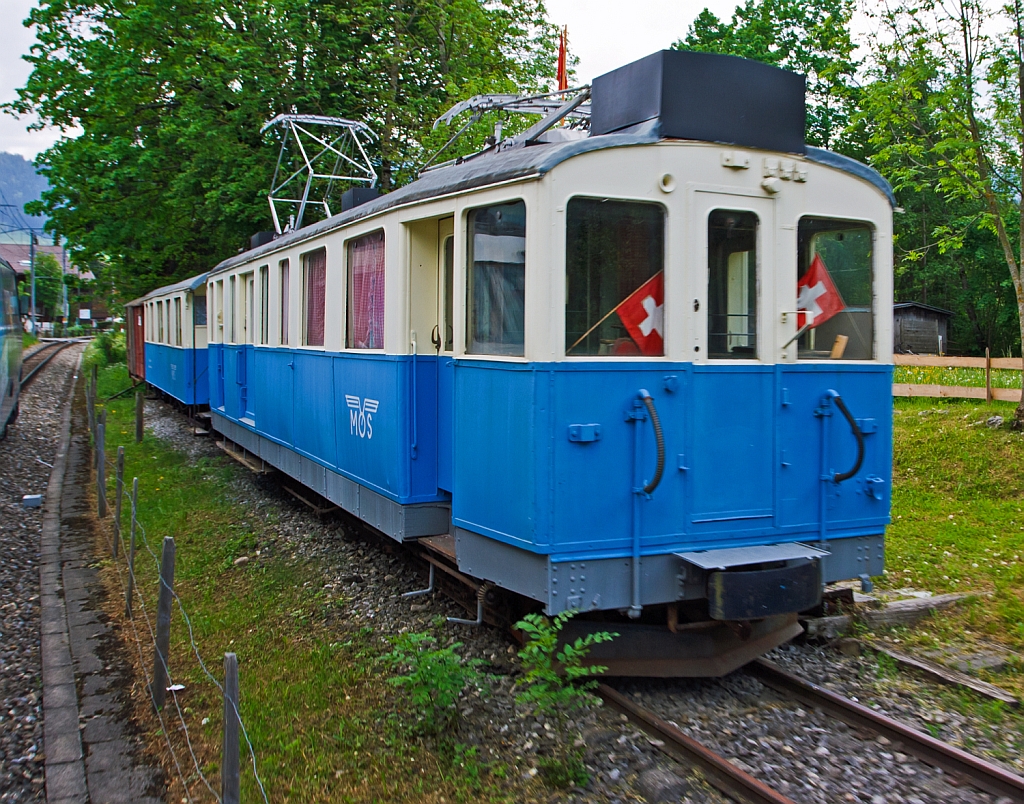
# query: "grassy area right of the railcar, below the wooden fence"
{"type": "Point", "coordinates": [959, 520]}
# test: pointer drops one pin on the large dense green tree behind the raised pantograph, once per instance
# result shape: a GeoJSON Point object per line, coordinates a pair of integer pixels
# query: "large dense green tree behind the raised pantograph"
{"type": "Point", "coordinates": [170, 173]}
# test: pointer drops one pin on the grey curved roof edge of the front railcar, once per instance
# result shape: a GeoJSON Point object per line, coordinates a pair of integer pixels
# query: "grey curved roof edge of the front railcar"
{"type": "Point", "coordinates": [523, 163]}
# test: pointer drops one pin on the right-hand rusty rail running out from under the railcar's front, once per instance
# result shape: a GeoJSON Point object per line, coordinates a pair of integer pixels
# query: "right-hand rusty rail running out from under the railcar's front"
{"type": "Point", "coordinates": [982, 774]}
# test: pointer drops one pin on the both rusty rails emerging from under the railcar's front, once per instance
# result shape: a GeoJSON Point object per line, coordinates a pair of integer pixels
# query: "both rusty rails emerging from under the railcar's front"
{"type": "Point", "coordinates": [738, 784]}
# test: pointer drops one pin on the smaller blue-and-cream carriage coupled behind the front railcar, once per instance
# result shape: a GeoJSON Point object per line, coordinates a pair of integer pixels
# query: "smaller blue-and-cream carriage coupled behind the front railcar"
{"type": "Point", "coordinates": [174, 323]}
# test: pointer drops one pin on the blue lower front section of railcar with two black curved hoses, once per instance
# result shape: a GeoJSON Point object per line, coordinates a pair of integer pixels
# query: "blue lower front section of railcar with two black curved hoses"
{"type": "Point", "coordinates": [549, 460]}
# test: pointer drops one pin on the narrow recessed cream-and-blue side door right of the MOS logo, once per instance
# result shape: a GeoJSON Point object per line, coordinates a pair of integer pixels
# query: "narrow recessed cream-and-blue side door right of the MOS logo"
{"type": "Point", "coordinates": [444, 338]}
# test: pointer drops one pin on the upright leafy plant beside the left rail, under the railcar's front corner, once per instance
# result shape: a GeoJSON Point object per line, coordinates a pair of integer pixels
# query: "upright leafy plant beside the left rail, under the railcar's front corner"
{"type": "Point", "coordinates": [558, 684]}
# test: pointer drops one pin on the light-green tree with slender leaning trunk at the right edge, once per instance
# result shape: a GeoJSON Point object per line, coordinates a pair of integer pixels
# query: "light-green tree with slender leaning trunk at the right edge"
{"type": "Point", "coordinates": [948, 112]}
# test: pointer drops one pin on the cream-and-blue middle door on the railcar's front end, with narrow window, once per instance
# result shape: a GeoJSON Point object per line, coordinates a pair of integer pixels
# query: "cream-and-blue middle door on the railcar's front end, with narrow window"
{"type": "Point", "coordinates": [732, 433]}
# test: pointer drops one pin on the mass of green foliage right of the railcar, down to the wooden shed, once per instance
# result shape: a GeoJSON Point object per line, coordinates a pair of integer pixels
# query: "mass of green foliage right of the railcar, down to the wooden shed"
{"type": "Point", "coordinates": [944, 114]}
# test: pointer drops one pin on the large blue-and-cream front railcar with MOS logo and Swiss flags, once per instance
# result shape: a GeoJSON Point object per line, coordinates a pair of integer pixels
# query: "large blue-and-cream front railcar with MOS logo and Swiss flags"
{"type": "Point", "coordinates": [485, 354]}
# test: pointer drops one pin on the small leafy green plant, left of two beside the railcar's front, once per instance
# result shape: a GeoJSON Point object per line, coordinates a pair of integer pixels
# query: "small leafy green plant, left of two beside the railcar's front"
{"type": "Point", "coordinates": [433, 679]}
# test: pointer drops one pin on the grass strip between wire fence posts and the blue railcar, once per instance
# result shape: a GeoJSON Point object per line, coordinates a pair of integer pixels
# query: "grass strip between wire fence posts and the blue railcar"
{"type": "Point", "coordinates": [323, 721]}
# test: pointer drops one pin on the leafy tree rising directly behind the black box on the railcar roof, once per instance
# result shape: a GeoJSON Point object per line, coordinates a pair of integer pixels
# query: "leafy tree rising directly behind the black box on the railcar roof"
{"type": "Point", "coordinates": [809, 38]}
